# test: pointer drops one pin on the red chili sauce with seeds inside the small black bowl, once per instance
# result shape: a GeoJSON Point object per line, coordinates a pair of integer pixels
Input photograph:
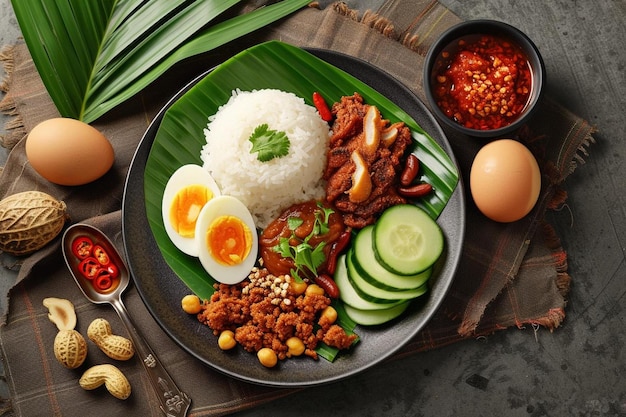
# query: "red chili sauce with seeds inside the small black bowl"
{"type": "Point", "coordinates": [482, 82]}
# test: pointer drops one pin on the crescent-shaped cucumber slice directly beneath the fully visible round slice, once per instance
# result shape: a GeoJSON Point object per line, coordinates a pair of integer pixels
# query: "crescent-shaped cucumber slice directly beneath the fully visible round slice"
{"type": "Point", "coordinates": [372, 271]}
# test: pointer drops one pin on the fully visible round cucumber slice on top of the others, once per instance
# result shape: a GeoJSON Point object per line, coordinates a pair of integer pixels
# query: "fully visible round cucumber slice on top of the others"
{"type": "Point", "coordinates": [407, 240]}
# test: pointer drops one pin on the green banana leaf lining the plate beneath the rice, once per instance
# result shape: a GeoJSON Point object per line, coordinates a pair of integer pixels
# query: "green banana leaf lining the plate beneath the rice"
{"type": "Point", "coordinates": [277, 65]}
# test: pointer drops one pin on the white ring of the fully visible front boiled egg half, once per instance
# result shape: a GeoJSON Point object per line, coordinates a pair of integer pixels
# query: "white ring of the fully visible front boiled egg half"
{"type": "Point", "coordinates": [221, 206]}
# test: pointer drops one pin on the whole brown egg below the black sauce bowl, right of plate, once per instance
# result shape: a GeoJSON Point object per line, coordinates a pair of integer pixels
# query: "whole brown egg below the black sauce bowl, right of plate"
{"type": "Point", "coordinates": [505, 180]}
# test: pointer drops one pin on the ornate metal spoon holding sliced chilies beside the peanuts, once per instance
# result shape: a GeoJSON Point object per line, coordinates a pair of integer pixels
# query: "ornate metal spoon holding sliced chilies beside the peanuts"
{"type": "Point", "coordinates": [174, 402]}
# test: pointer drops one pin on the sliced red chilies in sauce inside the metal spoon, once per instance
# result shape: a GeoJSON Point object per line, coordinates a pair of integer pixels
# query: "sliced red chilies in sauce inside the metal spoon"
{"type": "Point", "coordinates": [96, 265]}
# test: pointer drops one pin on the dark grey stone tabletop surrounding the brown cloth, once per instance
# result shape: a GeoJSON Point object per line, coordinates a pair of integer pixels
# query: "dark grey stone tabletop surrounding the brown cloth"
{"type": "Point", "coordinates": [579, 369]}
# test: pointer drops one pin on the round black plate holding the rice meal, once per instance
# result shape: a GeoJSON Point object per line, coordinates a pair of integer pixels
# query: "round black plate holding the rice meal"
{"type": "Point", "coordinates": [161, 290]}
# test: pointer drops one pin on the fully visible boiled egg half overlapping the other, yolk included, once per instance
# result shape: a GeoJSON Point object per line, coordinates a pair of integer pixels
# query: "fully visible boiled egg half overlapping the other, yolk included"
{"type": "Point", "coordinates": [227, 240]}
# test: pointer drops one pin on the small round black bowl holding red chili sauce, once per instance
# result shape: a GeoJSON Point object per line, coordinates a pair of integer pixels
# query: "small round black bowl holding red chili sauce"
{"type": "Point", "coordinates": [470, 31]}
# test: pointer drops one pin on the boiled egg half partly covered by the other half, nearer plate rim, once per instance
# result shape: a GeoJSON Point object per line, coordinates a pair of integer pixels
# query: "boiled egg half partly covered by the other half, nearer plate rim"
{"type": "Point", "coordinates": [184, 194]}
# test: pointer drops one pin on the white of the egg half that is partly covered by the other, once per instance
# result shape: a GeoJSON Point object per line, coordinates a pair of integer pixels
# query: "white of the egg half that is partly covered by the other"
{"type": "Point", "coordinates": [183, 177]}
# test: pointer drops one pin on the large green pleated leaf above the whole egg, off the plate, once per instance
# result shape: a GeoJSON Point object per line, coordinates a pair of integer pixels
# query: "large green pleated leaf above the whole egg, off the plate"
{"type": "Point", "coordinates": [92, 55]}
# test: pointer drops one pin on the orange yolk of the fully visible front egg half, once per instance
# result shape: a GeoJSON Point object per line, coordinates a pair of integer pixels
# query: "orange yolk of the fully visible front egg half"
{"type": "Point", "coordinates": [229, 240]}
